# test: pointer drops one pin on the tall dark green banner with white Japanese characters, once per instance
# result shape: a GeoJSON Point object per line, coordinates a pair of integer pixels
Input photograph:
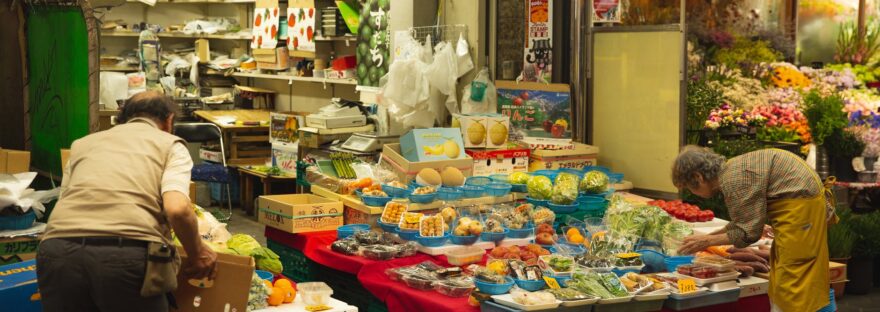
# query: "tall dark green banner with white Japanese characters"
{"type": "Point", "coordinates": [374, 42]}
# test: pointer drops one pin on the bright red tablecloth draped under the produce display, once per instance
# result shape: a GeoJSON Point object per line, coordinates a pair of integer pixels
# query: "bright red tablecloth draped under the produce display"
{"type": "Point", "coordinates": [399, 297]}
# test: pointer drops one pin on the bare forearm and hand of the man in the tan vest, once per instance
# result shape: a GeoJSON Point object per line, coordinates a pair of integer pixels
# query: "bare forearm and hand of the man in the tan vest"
{"type": "Point", "coordinates": [200, 258]}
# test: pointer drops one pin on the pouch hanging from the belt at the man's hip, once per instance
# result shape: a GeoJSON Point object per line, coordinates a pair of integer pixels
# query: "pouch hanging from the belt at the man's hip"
{"type": "Point", "coordinates": [162, 266]}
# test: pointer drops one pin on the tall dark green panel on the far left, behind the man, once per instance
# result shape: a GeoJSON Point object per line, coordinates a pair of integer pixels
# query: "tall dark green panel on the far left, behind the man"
{"type": "Point", "coordinates": [58, 75]}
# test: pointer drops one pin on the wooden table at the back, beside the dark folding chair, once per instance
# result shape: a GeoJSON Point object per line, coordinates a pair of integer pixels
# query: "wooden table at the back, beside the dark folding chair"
{"type": "Point", "coordinates": [245, 145]}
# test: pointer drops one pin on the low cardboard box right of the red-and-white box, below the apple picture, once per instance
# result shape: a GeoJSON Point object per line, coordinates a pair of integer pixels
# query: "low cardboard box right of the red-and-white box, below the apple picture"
{"type": "Point", "coordinates": [581, 156]}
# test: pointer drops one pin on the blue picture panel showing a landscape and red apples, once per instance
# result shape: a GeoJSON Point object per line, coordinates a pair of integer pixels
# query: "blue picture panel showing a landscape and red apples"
{"type": "Point", "coordinates": [536, 109]}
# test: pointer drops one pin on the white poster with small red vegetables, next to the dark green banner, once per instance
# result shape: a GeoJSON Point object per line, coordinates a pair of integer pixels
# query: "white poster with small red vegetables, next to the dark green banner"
{"type": "Point", "coordinates": [301, 26]}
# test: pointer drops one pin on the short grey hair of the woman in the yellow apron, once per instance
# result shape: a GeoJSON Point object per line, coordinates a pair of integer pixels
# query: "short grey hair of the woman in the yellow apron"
{"type": "Point", "coordinates": [694, 162]}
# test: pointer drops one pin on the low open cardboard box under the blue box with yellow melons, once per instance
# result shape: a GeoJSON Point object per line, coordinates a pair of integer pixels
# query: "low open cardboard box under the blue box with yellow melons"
{"type": "Point", "coordinates": [407, 170]}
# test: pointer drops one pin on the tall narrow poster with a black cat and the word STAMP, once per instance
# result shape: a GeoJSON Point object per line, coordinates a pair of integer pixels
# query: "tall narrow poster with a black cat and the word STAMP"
{"type": "Point", "coordinates": [539, 39]}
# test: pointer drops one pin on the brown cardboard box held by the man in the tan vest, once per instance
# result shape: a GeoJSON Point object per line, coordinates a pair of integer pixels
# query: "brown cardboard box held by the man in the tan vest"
{"type": "Point", "coordinates": [227, 292]}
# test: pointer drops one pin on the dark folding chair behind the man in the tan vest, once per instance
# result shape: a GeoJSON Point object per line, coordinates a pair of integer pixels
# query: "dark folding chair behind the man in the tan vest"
{"type": "Point", "coordinates": [206, 171]}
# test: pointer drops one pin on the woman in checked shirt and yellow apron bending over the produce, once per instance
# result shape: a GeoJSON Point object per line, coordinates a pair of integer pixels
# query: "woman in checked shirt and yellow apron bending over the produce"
{"type": "Point", "coordinates": [764, 186]}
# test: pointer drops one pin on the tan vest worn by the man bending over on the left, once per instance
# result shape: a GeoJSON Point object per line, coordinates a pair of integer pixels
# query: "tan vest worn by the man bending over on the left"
{"type": "Point", "coordinates": [115, 185]}
